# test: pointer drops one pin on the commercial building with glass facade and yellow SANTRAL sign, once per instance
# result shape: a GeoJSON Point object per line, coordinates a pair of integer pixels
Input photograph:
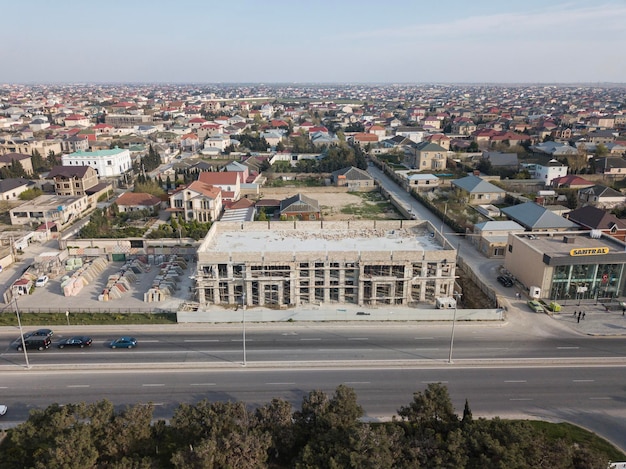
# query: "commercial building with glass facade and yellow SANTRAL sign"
{"type": "Point", "coordinates": [574, 265]}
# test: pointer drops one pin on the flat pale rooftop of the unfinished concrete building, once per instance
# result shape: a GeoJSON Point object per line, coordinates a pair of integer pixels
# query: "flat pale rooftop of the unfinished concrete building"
{"type": "Point", "coordinates": [414, 238]}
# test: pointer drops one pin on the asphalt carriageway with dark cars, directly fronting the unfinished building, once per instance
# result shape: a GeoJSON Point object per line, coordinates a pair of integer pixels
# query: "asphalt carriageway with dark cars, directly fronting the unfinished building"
{"type": "Point", "coordinates": [315, 343]}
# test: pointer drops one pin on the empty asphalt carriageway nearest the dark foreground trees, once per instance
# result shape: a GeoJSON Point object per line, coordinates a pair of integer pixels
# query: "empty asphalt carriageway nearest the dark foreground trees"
{"type": "Point", "coordinates": [590, 396]}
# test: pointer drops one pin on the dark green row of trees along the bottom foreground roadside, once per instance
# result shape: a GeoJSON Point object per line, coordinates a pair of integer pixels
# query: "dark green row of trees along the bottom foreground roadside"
{"type": "Point", "coordinates": [326, 432]}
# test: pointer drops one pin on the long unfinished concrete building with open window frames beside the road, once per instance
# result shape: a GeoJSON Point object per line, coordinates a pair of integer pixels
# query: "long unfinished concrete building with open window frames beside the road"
{"type": "Point", "coordinates": [285, 264]}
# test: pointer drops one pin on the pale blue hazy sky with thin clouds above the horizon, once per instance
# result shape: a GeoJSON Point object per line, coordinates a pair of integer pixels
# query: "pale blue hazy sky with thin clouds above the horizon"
{"type": "Point", "coordinates": [399, 41]}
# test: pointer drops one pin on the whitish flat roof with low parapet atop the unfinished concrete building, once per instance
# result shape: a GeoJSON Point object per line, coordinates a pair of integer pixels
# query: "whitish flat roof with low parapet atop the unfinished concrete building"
{"type": "Point", "coordinates": [327, 236]}
